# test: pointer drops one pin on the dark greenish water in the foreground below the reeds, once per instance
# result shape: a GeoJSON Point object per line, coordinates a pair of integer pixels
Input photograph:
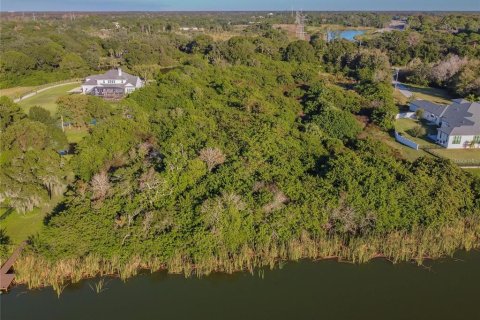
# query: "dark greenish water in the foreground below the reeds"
{"type": "Point", "coordinates": [446, 289]}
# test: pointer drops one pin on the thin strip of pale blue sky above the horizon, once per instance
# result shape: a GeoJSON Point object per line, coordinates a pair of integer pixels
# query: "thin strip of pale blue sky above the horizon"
{"type": "Point", "coordinates": [250, 5]}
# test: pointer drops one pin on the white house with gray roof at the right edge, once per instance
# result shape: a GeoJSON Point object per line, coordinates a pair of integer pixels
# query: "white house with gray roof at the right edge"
{"type": "Point", "coordinates": [459, 122]}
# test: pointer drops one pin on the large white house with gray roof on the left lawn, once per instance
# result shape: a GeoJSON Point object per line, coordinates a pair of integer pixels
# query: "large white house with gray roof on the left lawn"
{"type": "Point", "coordinates": [113, 84]}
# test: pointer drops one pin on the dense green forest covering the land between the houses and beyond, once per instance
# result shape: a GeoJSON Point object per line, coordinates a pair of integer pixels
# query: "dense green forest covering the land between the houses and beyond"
{"type": "Point", "coordinates": [249, 150]}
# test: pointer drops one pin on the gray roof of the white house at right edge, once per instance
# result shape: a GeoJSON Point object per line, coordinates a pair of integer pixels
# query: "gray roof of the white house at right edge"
{"type": "Point", "coordinates": [462, 118]}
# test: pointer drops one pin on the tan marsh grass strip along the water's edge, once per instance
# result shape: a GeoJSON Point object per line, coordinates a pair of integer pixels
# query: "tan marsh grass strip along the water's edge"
{"type": "Point", "coordinates": [416, 245]}
